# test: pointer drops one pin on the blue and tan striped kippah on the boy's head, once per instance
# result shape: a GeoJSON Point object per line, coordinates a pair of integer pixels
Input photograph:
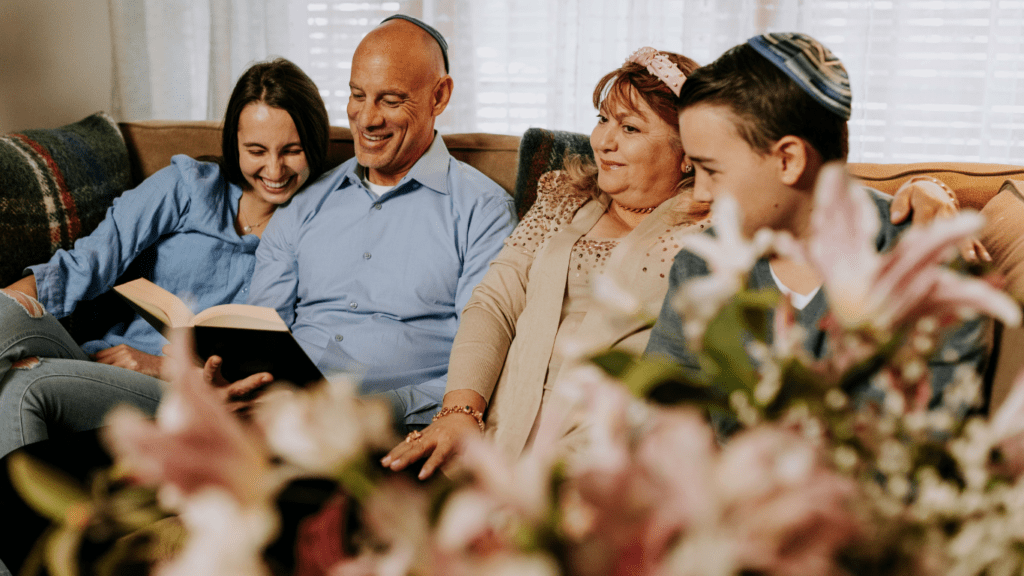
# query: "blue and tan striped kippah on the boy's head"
{"type": "Point", "coordinates": [810, 65]}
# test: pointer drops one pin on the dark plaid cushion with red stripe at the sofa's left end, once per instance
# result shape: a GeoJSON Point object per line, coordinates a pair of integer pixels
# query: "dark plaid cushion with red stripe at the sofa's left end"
{"type": "Point", "coordinates": [57, 187]}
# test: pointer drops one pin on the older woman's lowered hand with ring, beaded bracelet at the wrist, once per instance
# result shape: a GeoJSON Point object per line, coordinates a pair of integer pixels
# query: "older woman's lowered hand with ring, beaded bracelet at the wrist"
{"type": "Point", "coordinates": [440, 442]}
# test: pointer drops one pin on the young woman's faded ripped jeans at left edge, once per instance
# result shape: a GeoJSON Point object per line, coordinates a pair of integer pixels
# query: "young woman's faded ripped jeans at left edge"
{"type": "Point", "coordinates": [64, 392]}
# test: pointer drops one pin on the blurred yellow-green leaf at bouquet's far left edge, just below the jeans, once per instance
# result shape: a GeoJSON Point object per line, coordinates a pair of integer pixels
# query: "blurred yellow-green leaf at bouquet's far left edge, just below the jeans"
{"type": "Point", "coordinates": [48, 490]}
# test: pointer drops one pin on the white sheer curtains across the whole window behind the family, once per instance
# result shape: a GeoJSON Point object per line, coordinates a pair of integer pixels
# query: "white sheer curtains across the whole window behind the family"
{"type": "Point", "coordinates": [932, 79]}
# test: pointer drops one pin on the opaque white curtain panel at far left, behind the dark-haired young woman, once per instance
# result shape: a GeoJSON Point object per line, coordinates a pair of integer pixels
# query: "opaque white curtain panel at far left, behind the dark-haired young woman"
{"type": "Point", "coordinates": [179, 60]}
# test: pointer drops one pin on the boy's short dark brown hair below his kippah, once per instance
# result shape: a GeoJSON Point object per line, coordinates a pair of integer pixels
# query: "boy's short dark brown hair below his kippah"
{"type": "Point", "coordinates": [769, 104]}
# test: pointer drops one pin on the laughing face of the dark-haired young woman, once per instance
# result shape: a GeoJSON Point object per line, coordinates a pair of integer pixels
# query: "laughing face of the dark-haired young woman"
{"type": "Point", "coordinates": [271, 154]}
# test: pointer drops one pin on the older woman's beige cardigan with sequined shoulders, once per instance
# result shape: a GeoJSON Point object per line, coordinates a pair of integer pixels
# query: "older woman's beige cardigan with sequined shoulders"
{"type": "Point", "coordinates": [506, 340]}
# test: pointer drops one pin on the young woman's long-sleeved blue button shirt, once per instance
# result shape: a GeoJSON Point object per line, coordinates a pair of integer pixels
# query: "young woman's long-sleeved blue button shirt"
{"type": "Point", "coordinates": [178, 228]}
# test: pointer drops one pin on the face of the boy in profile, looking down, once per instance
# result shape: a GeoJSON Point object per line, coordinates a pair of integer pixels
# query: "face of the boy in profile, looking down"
{"type": "Point", "coordinates": [726, 164]}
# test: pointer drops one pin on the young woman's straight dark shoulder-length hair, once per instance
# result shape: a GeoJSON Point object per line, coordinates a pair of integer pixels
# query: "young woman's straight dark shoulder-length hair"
{"type": "Point", "coordinates": [278, 84]}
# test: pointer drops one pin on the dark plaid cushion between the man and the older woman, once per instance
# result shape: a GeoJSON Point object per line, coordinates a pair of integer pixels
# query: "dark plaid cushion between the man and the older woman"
{"type": "Point", "coordinates": [542, 151]}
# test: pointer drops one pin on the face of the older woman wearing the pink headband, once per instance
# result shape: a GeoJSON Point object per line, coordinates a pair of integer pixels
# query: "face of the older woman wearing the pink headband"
{"type": "Point", "coordinates": [638, 155]}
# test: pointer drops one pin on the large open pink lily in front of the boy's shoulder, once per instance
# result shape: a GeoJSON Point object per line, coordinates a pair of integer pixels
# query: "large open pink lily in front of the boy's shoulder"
{"type": "Point", "coordinates": [885, 293]}
